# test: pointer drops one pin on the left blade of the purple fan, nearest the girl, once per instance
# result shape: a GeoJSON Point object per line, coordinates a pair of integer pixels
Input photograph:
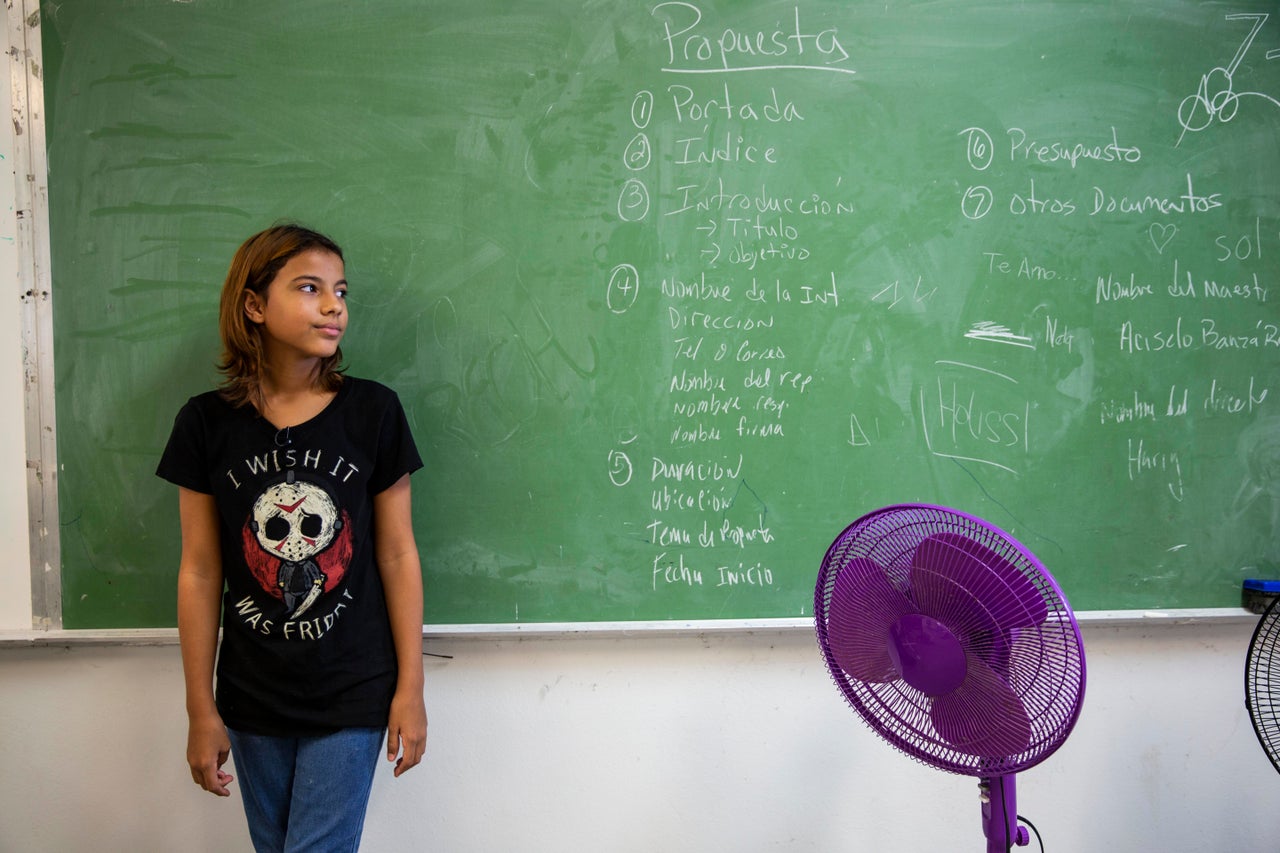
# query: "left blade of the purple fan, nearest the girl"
{"type": "Point", "coordinates": [863, 608]}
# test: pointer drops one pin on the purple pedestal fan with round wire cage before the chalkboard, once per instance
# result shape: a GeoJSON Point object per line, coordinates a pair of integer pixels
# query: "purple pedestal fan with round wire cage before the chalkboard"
{"type": "Point", "coordinates": [953, 642]}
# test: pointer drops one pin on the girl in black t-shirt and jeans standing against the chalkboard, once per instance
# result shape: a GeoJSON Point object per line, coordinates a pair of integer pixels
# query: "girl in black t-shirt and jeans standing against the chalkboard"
{"type": "Point", "coordinates": [295, 498]}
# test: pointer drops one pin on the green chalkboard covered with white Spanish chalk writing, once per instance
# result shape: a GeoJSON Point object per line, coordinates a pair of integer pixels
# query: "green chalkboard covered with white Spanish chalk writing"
{"type": "Point", "coordinates": [675, 291]}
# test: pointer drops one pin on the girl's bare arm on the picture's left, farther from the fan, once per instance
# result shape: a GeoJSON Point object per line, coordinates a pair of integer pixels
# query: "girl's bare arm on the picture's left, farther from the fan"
{"type": "Point", "coordinates": [200, 597]}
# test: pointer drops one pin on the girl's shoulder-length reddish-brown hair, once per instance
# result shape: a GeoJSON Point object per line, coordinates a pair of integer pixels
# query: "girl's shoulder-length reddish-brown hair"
{"type": "Point", "coordinates": [255, 264]}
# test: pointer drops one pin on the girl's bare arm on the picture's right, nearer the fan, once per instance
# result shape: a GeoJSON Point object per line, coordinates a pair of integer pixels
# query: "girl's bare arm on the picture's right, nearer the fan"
{"type": "Point", "coordinates": [403, 583]}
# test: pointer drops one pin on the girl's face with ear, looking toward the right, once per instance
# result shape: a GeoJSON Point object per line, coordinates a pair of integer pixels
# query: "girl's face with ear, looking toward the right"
{"type": "Point", "coordinates": [305, 312]}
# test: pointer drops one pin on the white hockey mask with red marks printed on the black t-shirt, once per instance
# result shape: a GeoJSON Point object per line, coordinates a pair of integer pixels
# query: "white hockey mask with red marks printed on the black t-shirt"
{"type": "Point", "coordinates": [295, 521]}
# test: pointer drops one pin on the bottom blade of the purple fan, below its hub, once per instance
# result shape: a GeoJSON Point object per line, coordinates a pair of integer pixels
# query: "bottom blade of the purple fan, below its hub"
{"type": "Point", "coordinates": [984, 717]}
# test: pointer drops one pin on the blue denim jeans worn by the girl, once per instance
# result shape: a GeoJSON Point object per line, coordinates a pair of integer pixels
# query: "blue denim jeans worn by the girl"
{"type": "Point", "coordinates": [307, 793]}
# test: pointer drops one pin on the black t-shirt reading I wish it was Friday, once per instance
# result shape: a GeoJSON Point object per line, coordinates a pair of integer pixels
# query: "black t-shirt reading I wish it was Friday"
{"type": "Point", "coordinates": [307, 640]}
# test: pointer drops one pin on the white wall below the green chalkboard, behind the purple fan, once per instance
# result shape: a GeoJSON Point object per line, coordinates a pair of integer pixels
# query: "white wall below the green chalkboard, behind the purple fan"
{"type": "Point", "coordinates": [659, 743]}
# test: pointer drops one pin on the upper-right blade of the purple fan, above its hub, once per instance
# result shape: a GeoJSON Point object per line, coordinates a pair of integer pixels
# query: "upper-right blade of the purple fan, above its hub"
{"type": "Point", "coordinates": [998, 597]}
